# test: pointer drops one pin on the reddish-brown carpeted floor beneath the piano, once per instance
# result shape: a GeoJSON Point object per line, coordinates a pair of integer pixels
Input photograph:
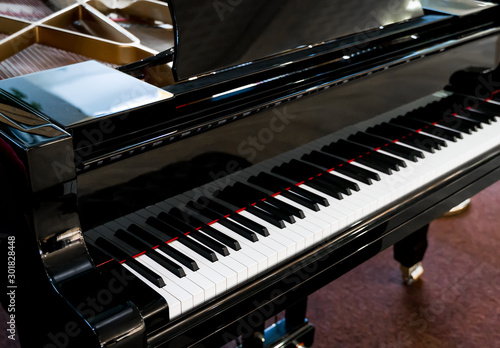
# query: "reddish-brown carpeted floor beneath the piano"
{"type": "Point", "coordinates": [457, 304]}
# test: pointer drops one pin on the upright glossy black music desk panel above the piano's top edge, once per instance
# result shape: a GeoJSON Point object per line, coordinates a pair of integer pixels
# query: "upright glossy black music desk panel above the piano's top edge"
{"type": "Point", "coordinates": [215, 34]}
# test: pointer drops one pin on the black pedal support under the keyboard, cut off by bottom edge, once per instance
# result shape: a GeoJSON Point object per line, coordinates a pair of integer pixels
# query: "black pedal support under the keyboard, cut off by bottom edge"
{"type": "Point", "coordinates": [294, 331]}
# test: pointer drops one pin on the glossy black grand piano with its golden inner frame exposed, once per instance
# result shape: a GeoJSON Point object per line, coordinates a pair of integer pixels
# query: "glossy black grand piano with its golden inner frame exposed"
{"type": "Point", "coordinates": [181, 194]}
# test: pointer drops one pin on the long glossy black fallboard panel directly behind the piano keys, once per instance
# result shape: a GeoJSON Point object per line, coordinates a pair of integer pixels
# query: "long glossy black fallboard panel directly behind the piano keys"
{"type": "Point", "coordinates": [111, 191]}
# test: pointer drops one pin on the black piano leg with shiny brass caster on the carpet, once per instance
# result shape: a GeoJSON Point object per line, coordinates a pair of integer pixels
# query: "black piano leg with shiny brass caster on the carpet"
{"type": "Point", "coordinates": [409, 252]}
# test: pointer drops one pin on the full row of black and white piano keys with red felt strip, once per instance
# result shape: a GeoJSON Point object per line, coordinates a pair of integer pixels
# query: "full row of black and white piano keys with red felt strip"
{"type": "Point", "coordinates": [192, 248]}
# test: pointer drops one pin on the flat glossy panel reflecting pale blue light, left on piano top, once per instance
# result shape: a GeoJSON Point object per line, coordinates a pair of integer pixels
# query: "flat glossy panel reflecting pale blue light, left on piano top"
{"type": "Point", "coordinates": [82, 92]}
